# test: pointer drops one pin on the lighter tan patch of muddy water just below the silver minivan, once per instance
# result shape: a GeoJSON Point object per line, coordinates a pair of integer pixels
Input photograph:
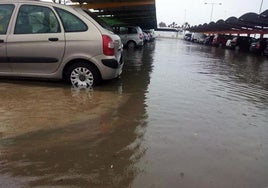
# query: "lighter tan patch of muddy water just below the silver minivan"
{"type": "Point", "coordinates": [28, 108]}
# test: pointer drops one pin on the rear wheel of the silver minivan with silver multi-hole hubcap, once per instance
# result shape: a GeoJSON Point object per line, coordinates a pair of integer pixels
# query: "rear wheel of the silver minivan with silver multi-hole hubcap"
{"type": "Point", "coordinates": [82, 74]}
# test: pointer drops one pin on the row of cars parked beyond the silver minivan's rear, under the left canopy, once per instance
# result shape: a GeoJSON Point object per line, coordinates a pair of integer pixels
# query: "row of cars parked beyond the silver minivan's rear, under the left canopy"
{"type": "Point", "coordinates": [134, 36]}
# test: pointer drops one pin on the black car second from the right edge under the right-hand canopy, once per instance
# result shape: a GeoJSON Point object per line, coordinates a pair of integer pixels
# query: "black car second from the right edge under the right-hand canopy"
{"type": "Point", "coordinates": [241, 43]}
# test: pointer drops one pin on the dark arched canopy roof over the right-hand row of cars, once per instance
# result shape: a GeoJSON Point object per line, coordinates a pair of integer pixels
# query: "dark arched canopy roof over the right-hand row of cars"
{"type": "Point", "coordinates": [249, 23]}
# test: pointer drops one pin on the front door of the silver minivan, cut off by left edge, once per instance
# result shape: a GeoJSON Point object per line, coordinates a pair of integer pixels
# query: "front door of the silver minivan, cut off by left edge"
{"type": "Point", "coordinates": [6, 11]}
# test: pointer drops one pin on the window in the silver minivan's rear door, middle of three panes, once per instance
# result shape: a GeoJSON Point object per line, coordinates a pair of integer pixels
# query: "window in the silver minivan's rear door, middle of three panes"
{"type": "Point", "coordinates": [36, 19]}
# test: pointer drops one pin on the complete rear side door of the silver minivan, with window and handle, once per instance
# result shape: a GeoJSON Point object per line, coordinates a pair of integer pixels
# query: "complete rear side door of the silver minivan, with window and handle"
{"type": "Point", "coordinates": [37, 43]}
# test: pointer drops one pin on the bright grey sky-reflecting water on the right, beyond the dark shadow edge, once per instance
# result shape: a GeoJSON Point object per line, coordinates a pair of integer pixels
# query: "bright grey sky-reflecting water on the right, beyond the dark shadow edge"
{"type": "Point", "coordinates": [207, 118]}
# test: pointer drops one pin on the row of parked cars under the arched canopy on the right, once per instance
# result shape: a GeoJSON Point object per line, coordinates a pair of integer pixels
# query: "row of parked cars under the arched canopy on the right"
{"type": "Point", "coordinates": [244, 43]}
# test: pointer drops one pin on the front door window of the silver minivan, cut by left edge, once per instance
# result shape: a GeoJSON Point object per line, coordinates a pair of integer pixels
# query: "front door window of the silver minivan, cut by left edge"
{"type": "Point", "coordinates": [5, 15]}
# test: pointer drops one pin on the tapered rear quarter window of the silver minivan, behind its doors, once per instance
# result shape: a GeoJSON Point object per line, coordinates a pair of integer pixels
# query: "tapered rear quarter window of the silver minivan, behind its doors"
{"type": "Point", "coordinates": [71, 23]}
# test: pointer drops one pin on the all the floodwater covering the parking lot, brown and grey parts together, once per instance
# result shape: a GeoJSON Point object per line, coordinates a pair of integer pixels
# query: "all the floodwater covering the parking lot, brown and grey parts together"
{"type": "Point", "coordinates": [181, 115]}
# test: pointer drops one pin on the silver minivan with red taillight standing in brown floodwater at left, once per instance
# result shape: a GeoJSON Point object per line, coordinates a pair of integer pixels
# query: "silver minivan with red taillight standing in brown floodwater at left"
{"type": "Point", "coordinates": [53, 41]}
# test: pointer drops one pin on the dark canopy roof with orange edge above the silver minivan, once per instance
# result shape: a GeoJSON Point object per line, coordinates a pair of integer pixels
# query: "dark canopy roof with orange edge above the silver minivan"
{"type": "Point", "coordinates": [128, 12]}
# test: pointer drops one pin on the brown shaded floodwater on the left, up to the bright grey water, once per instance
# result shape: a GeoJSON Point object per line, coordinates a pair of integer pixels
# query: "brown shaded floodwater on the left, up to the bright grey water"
{"type": "Point", "coordinates": [54, 135]}
